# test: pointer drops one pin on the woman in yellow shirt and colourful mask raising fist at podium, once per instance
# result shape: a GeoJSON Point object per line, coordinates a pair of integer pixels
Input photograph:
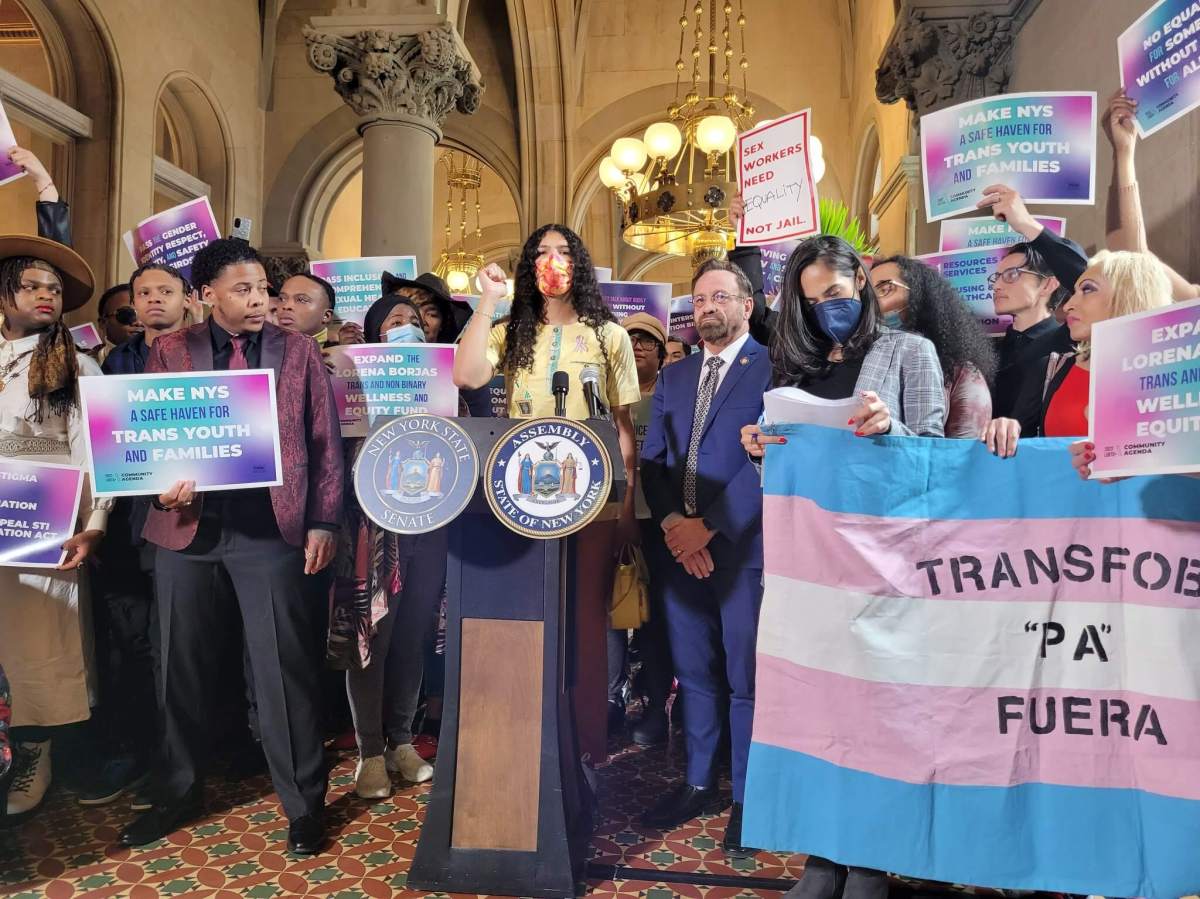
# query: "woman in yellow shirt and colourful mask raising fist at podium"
{"type": "Point", "coordinates": [560, 322]}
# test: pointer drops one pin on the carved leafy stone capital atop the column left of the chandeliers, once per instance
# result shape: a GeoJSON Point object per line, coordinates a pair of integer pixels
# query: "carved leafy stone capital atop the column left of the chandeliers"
{"type": "Point", "coordinates": [385, 75]}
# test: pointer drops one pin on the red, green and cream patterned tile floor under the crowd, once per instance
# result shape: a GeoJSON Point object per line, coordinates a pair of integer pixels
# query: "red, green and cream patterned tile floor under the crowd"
{"type": "Point", "coordinates": [65, 850]}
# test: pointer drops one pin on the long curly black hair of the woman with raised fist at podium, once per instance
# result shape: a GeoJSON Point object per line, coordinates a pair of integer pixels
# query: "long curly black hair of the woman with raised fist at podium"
{"type": "Point", "coordinates": [530, 307]}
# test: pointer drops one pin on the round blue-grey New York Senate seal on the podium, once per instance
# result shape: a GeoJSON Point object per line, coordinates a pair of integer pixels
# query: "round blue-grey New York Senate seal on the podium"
{"type": "Point", "coordinates": [416, 474]}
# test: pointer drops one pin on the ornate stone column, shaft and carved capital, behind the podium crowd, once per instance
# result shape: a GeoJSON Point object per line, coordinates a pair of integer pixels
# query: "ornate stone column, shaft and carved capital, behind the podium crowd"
{"type": "Point", "coordinates": [403, 75]}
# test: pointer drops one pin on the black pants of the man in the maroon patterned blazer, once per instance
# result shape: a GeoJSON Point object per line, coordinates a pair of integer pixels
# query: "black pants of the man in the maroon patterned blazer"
{"type": "Point", "coordinates": [283, 625]}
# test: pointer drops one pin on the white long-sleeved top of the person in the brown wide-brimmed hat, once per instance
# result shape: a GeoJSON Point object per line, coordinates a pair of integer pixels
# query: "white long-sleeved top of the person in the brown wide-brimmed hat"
{"type": "Point", "coordinates": [56, 440]}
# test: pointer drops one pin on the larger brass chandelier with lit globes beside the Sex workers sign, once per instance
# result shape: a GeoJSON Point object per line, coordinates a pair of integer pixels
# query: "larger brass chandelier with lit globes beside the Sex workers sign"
{"type": "Point", "coordinates": [676, 183]}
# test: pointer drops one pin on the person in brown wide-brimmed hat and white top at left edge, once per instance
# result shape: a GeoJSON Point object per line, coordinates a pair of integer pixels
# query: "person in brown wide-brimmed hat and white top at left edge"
{"type": "Point", "coordinates": [44, 646]}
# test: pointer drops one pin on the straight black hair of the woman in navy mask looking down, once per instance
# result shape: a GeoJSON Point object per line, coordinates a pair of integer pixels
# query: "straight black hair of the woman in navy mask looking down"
{"type": "Point", "coordinates": [800, 350]}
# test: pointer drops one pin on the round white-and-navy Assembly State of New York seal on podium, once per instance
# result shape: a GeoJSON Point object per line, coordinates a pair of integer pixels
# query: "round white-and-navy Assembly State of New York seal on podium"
{"type": "Point", "coordinates": [548, 478]}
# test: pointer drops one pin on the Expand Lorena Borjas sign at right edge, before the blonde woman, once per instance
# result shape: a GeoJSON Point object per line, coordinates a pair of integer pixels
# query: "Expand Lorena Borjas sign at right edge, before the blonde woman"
{"type": "Point", "coordinates": [1144, 410]}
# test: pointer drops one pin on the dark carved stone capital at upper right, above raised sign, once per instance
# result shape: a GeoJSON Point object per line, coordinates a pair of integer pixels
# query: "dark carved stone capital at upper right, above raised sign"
{"type": "Point", "coordinates": [946, 52]}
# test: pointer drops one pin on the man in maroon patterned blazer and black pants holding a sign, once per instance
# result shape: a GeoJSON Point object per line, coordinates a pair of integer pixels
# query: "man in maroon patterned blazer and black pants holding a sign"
{"type": "Point", "coordinates": [263, 542]}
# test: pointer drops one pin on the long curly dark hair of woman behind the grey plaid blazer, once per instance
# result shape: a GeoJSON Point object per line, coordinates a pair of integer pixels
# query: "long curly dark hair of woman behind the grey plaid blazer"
{"type": "Point", "coordinates": [937, 311]}
